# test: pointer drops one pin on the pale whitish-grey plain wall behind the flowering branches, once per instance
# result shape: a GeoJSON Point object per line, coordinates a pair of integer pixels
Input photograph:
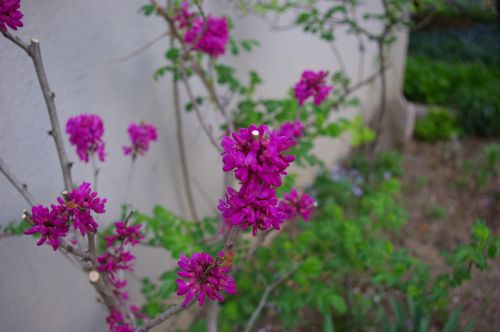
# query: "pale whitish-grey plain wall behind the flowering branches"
{"type": "Point", "coordinates": [39, 289]}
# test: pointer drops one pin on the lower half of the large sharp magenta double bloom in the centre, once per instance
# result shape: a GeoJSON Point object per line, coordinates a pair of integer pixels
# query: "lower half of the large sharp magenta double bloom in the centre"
{"type": "Point", "coordinates": [257, 208]}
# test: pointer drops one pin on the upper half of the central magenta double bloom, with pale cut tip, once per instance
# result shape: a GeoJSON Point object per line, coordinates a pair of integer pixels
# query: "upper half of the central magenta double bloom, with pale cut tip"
{"type": "Point", "coordinates": [257, 155]}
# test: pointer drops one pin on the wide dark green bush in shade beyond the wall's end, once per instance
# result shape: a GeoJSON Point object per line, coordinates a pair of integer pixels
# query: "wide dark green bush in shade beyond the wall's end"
{"type": "Point", "coordinates": [471, 88]}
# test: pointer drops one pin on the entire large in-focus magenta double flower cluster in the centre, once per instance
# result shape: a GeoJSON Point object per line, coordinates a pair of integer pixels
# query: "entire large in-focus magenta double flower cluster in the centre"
{"type": "Point", "coordinates": [258, 159]}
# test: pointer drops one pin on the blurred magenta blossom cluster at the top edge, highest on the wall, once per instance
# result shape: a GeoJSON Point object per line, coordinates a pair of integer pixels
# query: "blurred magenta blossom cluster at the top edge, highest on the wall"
{"type": "Point", "coordinates": [210, 36]}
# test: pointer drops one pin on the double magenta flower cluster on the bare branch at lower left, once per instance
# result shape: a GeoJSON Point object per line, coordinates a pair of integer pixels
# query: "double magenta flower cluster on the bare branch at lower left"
{"type": "Point", "coordinates": [75, 207]}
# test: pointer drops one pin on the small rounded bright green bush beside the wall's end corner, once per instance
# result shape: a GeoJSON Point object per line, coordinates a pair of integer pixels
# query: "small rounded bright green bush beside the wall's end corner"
{"type": "Point", "coordinates": [437, 125]}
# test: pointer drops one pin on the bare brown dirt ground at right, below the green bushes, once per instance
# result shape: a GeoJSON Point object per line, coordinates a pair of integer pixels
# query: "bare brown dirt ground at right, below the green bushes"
{"type": "Point", "coordinates": [442, 206]}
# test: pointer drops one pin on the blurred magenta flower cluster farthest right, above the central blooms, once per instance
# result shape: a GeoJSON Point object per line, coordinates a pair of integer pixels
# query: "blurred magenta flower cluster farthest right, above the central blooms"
{"type": "Point", "coordinates": [312, 84]}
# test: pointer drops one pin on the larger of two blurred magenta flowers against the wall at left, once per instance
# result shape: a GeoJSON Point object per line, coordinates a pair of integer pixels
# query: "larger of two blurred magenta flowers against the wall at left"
{"type": "Point", "coordinates": [85, 132]}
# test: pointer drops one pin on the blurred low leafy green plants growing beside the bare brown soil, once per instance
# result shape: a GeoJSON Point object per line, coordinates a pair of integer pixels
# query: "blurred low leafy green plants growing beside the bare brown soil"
{"type": "Point", "coordinates": [351, 273]}
